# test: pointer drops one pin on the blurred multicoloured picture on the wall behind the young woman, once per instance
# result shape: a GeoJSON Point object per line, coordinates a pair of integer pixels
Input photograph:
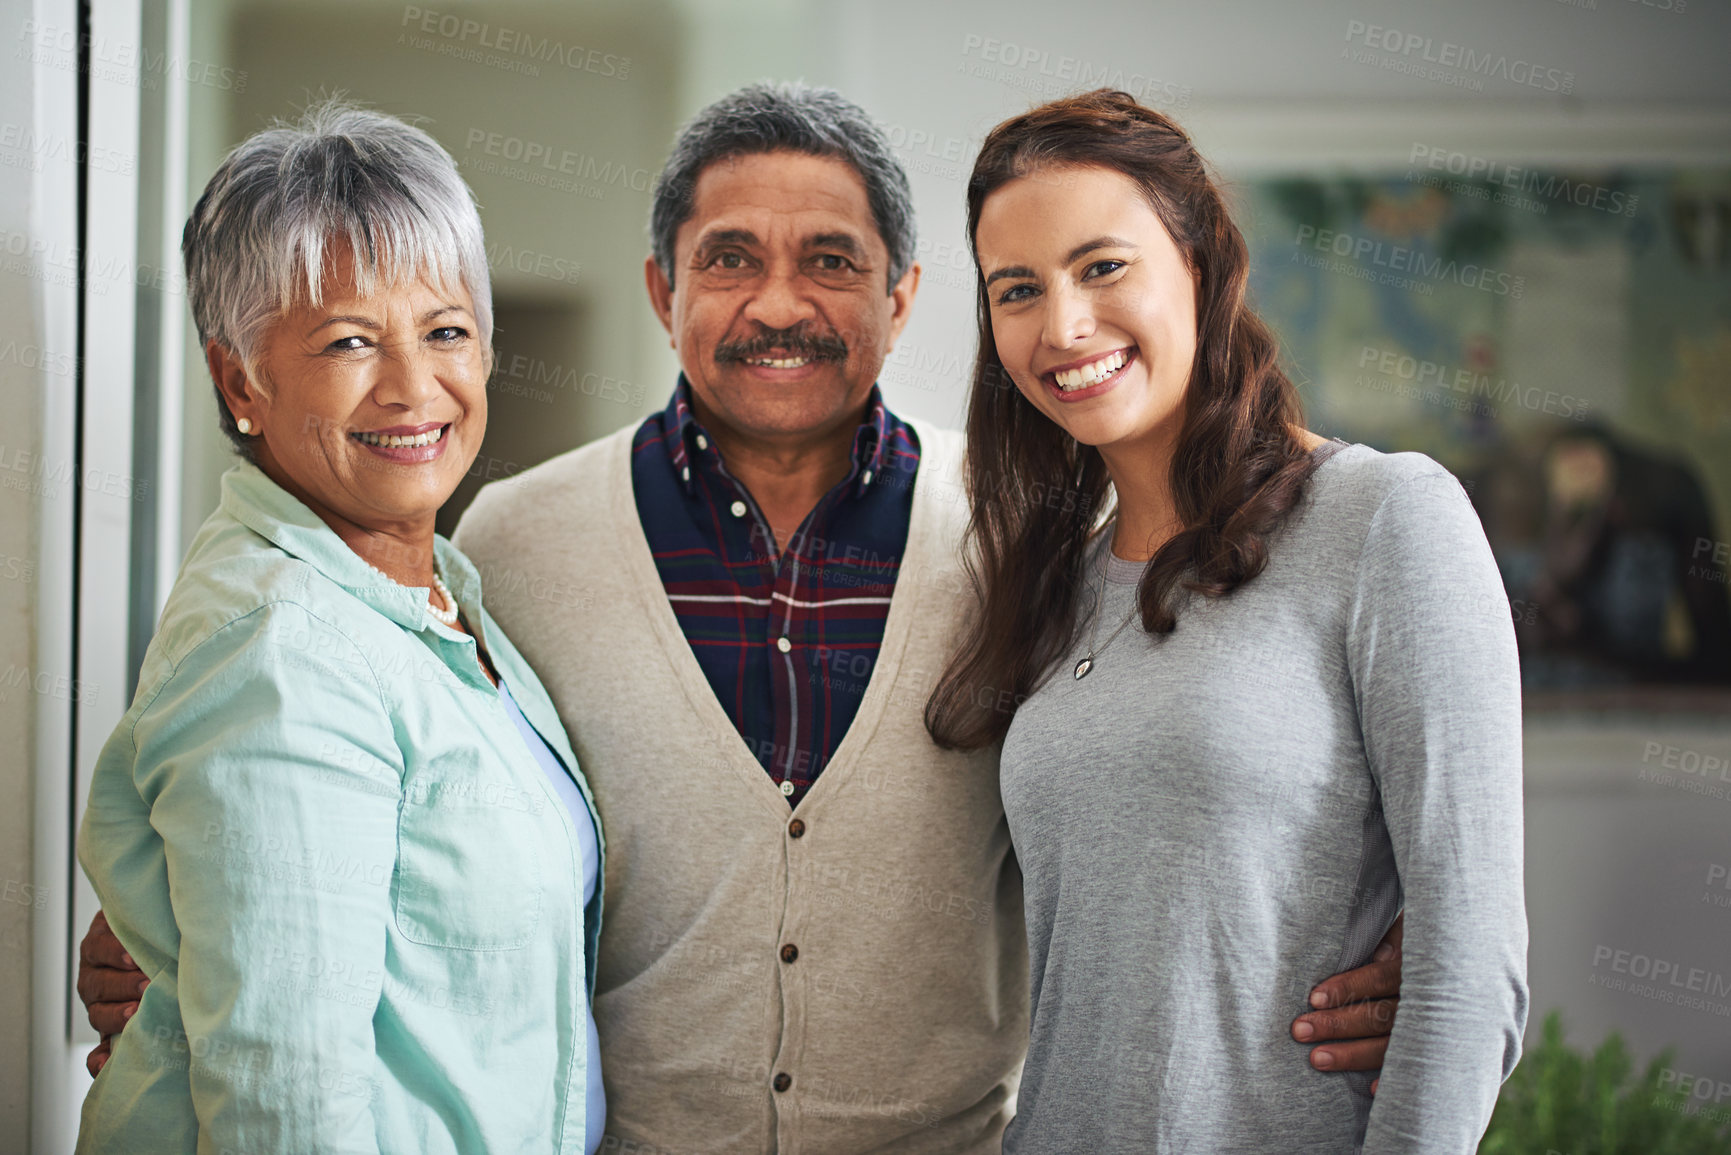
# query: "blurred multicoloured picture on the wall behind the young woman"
{"type": "Point", "coordinates": [1562, 342]}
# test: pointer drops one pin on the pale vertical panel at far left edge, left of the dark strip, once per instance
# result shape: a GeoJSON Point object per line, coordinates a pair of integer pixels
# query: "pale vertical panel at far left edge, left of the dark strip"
{"type": "Point", "coordinates": [37, 365]}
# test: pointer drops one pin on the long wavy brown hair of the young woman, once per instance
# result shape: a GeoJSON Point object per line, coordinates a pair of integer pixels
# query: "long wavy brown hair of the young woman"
{"type": "Point", "coordinates": [1038, 496]}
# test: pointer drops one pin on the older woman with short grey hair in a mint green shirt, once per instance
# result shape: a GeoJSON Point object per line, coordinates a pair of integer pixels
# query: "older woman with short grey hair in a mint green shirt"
{"type": "Point", "coordinates": [342, 829]}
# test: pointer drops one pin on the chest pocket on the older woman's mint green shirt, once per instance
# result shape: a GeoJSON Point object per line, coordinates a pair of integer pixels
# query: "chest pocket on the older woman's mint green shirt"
{"type": "Point", "coordinates": [470, 856]}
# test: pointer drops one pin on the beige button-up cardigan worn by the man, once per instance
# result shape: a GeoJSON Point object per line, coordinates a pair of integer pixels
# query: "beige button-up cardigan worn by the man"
{"type": "Point", "coordinates": [903, 1021]}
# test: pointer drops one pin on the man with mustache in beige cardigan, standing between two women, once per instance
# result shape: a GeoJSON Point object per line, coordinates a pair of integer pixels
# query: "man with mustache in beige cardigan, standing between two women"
{"type": "Point", "coordinates": [814, 926]}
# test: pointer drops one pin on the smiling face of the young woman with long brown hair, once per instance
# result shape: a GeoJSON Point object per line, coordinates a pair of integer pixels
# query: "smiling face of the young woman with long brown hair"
{"type": "Point", "coordinates": [1093, 306]}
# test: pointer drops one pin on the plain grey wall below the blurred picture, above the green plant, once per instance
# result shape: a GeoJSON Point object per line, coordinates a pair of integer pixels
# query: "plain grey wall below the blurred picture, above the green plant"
{"type": "Point", "coordinates": [1623, 846]}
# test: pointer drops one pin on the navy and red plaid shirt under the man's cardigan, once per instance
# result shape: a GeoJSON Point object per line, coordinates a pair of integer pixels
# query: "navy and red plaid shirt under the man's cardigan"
{"type": "Point", "coordinates": [787, 642]}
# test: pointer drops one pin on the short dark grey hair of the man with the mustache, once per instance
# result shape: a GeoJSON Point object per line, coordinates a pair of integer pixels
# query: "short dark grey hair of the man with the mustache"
{"type": "Point", "coordinates": [787, 117]}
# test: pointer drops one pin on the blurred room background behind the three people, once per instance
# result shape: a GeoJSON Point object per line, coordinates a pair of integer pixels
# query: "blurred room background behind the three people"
{"type": "Point", "coordinates": [1495, 233]}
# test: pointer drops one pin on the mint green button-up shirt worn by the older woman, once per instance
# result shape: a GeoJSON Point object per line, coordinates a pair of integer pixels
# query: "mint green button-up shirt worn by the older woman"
{"type": "Point", "coordinates": [354, 889]}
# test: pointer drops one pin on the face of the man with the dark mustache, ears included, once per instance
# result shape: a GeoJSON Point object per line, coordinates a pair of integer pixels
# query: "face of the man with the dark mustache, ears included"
{"type": "Point", "coordinates": [780, 306]}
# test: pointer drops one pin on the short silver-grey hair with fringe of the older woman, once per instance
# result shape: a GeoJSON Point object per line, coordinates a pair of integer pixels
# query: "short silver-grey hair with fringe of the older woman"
{"type": "Point", "coordinates": [257, 242]}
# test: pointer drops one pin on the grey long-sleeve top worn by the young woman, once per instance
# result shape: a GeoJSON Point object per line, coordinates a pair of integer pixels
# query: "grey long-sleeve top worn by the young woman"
{"type": "Point", "coordinates": [1214, 822]}
